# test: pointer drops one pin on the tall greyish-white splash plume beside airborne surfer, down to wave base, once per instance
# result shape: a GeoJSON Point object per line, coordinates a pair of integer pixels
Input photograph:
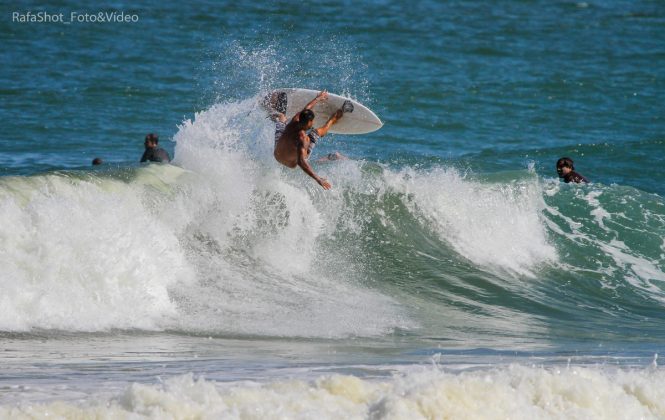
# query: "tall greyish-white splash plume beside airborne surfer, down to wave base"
{"type": "Point", "coordinates": [261, 273]}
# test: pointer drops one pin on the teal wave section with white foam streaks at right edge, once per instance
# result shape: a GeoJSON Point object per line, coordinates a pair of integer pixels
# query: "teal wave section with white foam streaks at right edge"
{"type": "Point", "coordinates": [619, 228]}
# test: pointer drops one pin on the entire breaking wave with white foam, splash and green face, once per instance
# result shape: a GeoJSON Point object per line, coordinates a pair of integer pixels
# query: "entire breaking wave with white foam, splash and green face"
{"type": "Point", "coordinates": [228, 242]}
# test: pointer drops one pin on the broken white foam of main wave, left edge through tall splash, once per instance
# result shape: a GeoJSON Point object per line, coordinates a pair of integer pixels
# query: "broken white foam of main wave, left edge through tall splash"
{"type": "Point", "coordinates": [229, 245]}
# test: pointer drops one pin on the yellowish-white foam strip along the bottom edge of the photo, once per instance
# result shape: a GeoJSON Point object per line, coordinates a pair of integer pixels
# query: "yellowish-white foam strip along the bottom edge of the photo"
{"type": "Point", "coordinates": [516, 392]}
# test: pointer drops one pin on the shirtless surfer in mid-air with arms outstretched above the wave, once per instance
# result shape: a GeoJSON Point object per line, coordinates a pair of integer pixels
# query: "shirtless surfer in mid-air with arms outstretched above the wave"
{"type": "Point", "coordinates": [295, 139]}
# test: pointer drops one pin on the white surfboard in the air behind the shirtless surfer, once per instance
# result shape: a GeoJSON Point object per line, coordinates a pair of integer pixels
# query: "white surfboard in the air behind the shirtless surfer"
{"type": "Point", "coordinates": [290, 101]}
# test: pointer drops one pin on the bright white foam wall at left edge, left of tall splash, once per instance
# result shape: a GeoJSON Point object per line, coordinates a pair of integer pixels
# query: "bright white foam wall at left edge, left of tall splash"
{"type": "Point", "coordinates": [83, 255]}
